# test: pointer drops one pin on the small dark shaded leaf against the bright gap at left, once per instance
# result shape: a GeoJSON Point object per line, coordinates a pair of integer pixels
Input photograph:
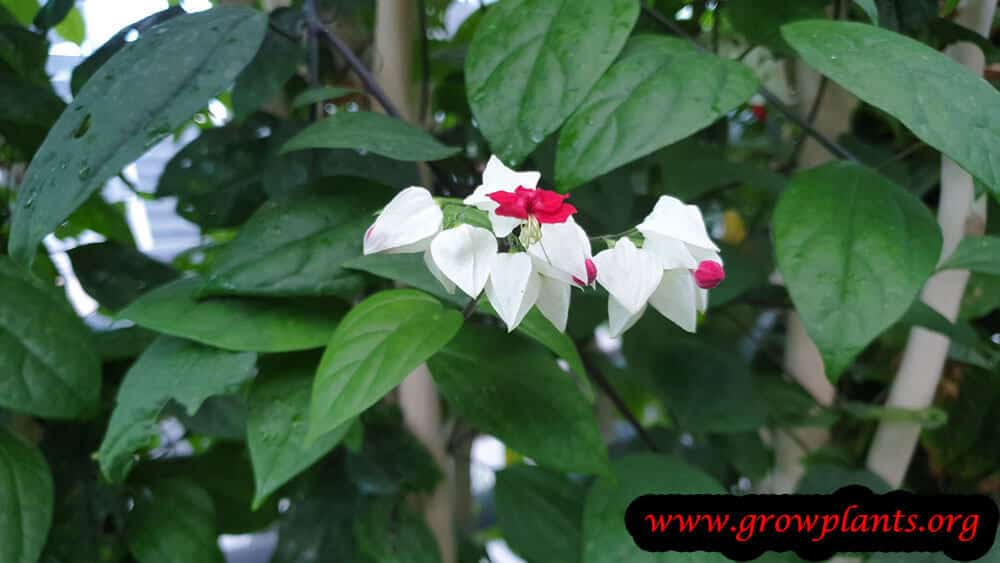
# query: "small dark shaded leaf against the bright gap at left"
{"type": "Point", "coordinates": [116, 275]}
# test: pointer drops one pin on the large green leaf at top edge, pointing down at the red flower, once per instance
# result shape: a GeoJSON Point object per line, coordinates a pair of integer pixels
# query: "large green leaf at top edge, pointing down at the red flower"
{"type": "Point", "coordinates": [532, 62]}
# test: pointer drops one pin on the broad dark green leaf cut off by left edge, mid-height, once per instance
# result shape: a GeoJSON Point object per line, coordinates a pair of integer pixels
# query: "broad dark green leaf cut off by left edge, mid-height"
{"type": "Point", "coordinates": [48, 366]}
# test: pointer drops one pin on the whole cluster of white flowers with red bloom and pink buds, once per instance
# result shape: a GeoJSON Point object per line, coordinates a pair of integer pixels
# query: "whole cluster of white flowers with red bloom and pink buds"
{"type": "Point", "coordinates": [535, 252]}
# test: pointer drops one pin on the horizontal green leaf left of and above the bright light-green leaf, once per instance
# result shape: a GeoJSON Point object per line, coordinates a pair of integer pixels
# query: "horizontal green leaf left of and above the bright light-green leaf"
{"type": "Point", "coordinates": [235, 324]}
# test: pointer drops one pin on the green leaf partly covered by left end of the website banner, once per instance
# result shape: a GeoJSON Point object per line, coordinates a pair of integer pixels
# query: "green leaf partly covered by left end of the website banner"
{"type": "Point", "coordinates": [605, 538]}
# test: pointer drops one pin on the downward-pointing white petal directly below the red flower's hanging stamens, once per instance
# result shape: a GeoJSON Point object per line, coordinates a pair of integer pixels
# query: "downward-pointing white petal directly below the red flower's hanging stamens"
{"type": "Point", "coordinates": [513, 287]}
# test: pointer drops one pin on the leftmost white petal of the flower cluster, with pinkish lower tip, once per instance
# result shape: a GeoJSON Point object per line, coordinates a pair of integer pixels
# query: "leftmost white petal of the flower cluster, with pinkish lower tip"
{"type": "Point", "coordinates": [406, 224]}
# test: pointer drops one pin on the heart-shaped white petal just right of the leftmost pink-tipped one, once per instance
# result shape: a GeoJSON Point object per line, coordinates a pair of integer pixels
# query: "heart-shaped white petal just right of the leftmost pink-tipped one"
{"type": "Point", "coordinates": [465, 255]}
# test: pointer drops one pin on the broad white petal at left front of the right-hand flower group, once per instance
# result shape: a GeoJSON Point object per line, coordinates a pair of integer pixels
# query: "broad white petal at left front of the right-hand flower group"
{"type": "Point", "coordinates": [629, 274]}
